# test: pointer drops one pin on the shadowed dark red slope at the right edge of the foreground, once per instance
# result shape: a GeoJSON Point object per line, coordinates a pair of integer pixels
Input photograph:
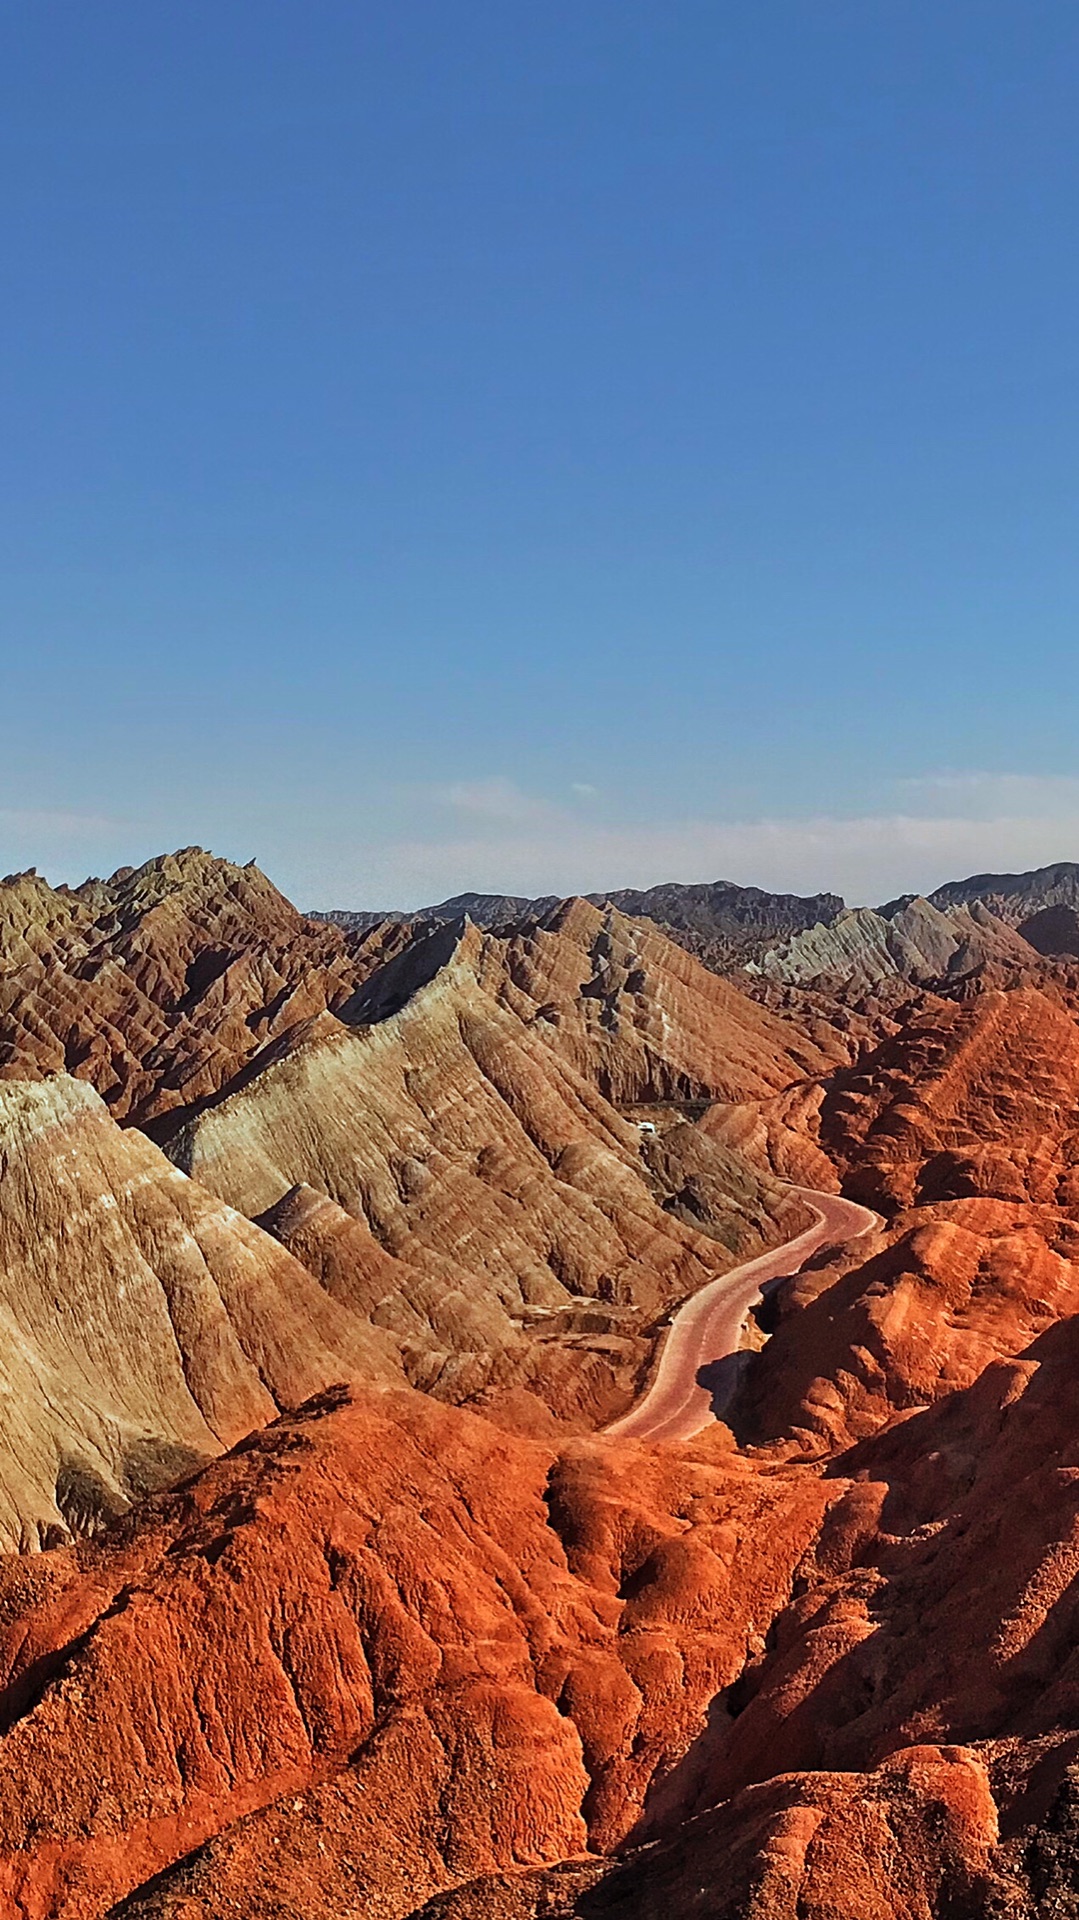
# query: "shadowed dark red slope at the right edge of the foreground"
{"type": "Point", "coordinates": [949, 1612]}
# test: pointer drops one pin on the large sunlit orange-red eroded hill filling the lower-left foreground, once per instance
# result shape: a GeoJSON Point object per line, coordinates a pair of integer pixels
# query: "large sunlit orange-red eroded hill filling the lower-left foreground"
{"type": "Point", "coordinates": [373, 1654]}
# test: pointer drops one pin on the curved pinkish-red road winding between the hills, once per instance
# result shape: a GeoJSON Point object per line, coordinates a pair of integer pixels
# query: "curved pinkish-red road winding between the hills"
{"type": "Point", "coordinates": [707, 1328]}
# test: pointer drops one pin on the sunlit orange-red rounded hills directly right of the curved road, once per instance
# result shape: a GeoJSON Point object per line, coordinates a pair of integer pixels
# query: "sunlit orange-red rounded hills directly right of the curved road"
{"type": "Point", "coordinates": [961, 1128]}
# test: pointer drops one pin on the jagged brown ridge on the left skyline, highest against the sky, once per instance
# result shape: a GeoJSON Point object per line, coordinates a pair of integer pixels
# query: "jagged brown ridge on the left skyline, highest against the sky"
{"type": "Point", "coordinates": [162, 982]}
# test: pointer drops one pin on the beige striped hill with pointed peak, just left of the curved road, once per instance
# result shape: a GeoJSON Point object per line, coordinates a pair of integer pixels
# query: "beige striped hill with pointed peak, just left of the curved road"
{"type": "Point", "coordinates": [452, 1174]}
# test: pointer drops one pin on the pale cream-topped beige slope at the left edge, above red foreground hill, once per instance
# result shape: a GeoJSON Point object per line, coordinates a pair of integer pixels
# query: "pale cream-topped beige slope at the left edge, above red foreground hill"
{"type": "Point", "coordinates": [145, 1326]}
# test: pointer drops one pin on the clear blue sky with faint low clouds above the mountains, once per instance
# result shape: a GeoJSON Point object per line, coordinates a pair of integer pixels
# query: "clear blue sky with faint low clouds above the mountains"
{"type": "Point", "coordinates": [540, 446]}
